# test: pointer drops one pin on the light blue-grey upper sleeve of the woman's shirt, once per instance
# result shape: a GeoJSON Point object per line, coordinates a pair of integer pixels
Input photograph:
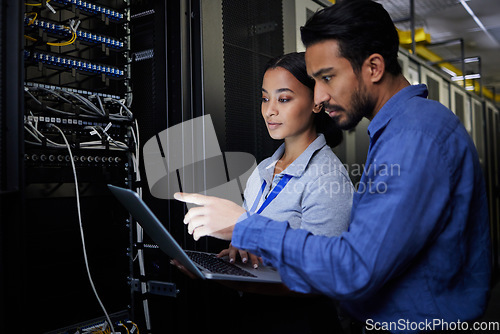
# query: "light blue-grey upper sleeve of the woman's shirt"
{"type": "Point", "coordinates": [326, 204]}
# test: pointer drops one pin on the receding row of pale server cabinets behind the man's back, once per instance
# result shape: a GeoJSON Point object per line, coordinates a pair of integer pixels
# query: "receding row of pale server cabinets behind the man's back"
{"type": "Point", "coordinates": [481, 119]}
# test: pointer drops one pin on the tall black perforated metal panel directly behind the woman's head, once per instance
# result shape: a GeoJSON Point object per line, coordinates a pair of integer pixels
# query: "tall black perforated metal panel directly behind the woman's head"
{"type": "Point", "coordinates": [252, 35]}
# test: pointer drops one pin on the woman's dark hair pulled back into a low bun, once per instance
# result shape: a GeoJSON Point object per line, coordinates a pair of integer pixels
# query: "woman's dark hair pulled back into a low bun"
{"type": "Point", "coordinates": [295, 63]}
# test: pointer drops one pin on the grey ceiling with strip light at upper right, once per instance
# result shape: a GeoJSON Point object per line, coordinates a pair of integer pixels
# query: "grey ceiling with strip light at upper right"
{"type": "Point", "coordinates": [447, 20]}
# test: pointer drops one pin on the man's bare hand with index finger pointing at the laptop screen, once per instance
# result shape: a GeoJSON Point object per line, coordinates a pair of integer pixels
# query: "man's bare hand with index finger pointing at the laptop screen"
{"type": "Point", "coordinates": [213, 217]}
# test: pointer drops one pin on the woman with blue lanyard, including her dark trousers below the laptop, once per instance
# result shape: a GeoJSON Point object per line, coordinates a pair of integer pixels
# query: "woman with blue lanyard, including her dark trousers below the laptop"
{"type": "Point", "coordinates": [303, 183]}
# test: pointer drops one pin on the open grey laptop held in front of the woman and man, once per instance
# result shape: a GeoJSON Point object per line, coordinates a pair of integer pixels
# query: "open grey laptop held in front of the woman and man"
{"type": "Point", "coordinates": [202, 265]}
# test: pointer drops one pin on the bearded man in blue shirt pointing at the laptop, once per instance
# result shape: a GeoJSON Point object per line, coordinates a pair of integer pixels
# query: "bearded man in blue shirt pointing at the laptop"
{"type": "Point", "coordinates": [416, 256]}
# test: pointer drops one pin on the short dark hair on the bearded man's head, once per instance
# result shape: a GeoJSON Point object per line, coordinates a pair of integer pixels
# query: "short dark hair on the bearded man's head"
{"type": "Point", "coordinates": [361, 28]}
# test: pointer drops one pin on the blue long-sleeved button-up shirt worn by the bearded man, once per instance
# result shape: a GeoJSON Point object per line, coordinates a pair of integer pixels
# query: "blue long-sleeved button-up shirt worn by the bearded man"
{"type": "Point", "coordinates": [418, 247]}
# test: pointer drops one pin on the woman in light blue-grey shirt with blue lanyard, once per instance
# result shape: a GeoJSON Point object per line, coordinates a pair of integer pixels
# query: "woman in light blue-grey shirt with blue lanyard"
{"type": "Point", "coordinates": [303, 182]}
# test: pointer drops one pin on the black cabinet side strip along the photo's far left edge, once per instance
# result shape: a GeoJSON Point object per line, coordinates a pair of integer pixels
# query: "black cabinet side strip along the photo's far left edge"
{"type": "Point", "coordinates": [11, 160]}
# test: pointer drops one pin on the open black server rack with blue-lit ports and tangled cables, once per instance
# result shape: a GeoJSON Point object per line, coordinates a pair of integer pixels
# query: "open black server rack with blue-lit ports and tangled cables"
{"type": "Point", "coordinates": [77, 134]}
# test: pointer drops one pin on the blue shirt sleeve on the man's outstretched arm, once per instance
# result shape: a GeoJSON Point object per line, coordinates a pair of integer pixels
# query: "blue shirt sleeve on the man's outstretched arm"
{"type": "Point", "coordinates": [397, 213]}
